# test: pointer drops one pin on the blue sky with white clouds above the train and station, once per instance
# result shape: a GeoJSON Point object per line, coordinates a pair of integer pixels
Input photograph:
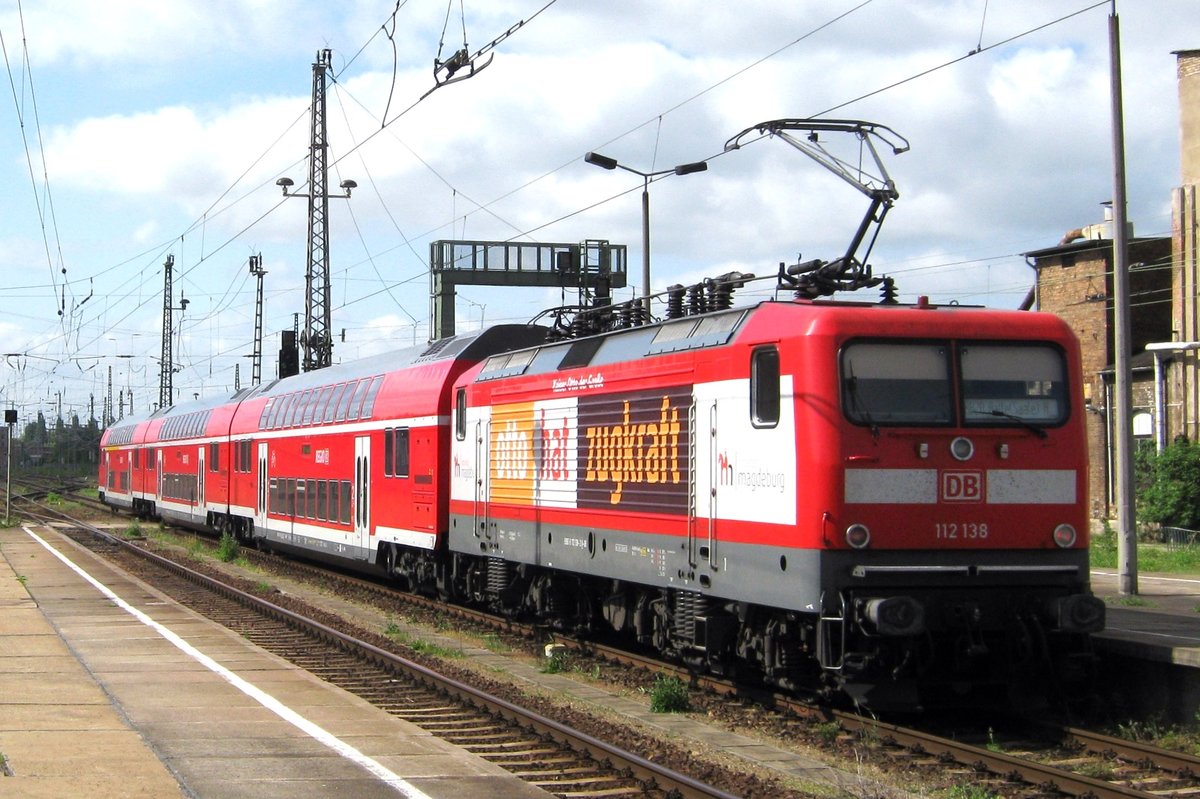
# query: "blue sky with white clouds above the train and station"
{"type": "Point", "coordinates": [137, 130]}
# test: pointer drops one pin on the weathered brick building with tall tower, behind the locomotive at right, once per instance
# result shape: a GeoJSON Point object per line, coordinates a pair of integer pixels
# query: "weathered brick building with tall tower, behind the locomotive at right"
{"type": "Point", "coordinates": [1075, 280]}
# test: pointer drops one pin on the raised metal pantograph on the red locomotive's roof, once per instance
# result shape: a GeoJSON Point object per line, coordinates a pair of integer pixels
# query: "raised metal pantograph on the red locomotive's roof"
{"type": "Point", "coordinates": [819, 278]}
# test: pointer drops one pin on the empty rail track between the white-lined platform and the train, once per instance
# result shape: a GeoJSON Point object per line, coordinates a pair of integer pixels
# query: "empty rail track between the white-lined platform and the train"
{"type": "Point", "coordinates": [541, 750]}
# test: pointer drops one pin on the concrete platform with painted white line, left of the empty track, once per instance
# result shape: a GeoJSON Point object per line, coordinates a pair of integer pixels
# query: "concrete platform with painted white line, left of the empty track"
{"type": "Point", "coordinates": [130, 695]}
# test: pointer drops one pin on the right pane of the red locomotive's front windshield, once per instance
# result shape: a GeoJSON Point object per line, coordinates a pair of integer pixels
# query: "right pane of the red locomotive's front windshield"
{"type": "Point", "coordinates": [1013, 385]}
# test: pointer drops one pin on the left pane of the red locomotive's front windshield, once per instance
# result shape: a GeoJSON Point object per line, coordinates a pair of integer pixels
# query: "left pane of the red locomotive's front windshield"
{"type": "Point", "coordinates": [897, 383]}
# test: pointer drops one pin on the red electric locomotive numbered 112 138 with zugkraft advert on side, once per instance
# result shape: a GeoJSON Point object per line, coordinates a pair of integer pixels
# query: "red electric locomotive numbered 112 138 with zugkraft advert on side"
{"type": "Point", "coordinates": [881, 500]}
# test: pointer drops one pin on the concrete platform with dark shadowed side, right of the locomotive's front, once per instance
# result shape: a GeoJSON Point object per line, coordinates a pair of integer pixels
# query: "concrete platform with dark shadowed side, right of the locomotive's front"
{"type": "Point", "coordinates": [1150, 651]}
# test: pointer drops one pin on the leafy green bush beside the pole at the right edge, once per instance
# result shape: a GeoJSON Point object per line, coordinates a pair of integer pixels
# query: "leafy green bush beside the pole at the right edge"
{"type": "Point", "coordinates": [1169, 486]}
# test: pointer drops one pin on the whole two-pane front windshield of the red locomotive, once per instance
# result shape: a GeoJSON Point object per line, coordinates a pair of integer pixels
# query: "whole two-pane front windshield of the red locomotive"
{"type": "Point", "coordinates": [914, 383]}
